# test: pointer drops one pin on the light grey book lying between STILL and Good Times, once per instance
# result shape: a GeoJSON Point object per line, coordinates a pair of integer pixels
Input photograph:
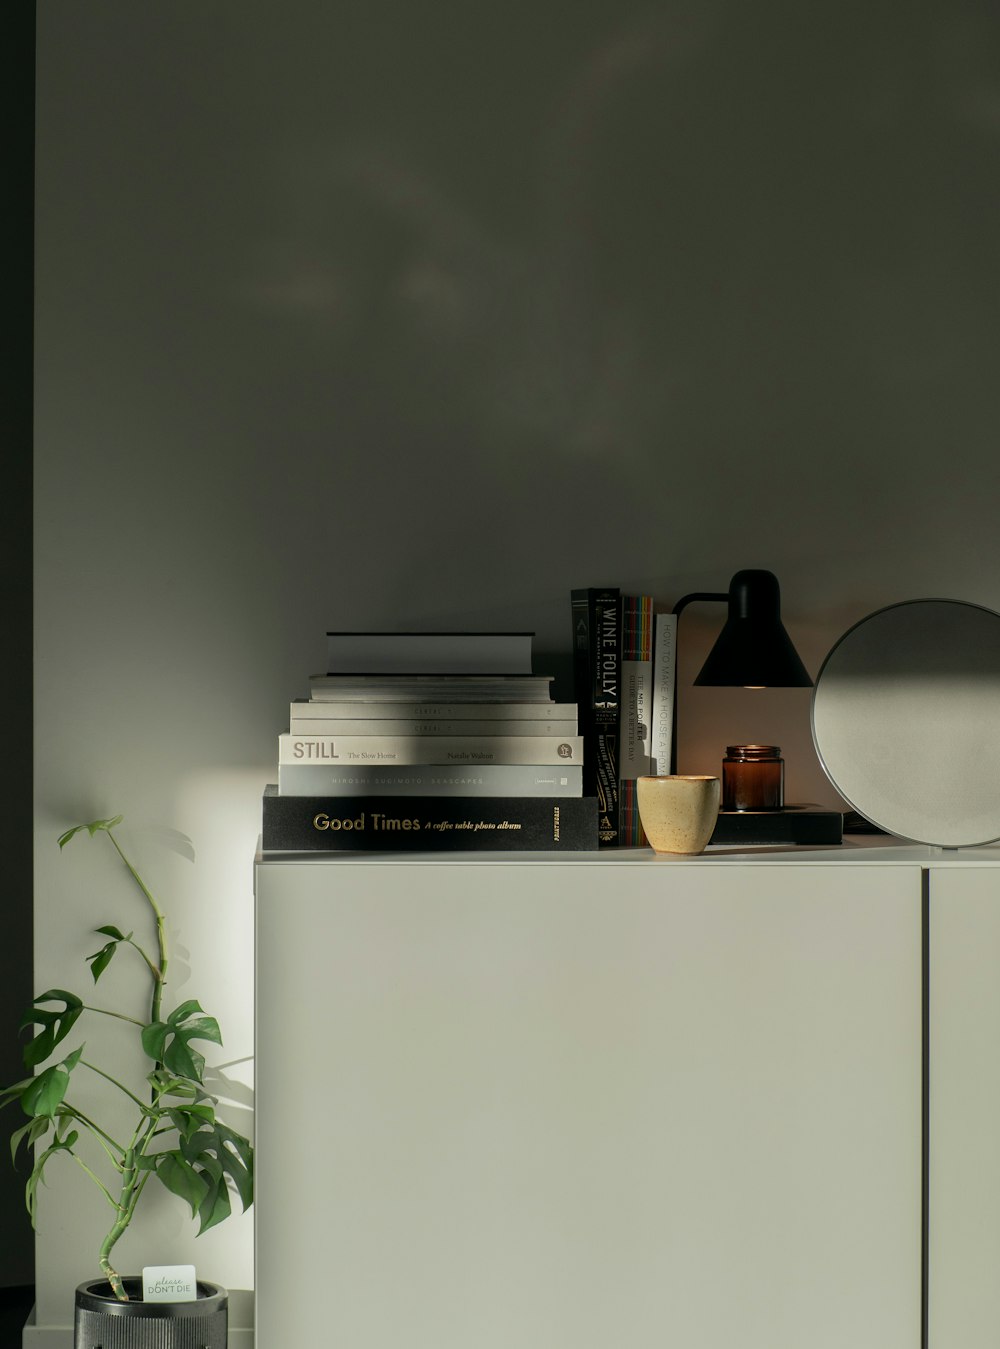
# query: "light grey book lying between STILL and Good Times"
{"type": "Point", "coordinates": [431, 780]}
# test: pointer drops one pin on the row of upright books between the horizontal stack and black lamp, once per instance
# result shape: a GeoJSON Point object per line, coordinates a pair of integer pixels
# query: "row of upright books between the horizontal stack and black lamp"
{"type": "Point", "coordinates": [624, 672]}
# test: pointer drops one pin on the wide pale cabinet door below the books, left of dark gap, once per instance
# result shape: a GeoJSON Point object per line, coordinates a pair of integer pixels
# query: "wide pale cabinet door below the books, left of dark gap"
{"type": "Point", "coordinates": [528, 1106]}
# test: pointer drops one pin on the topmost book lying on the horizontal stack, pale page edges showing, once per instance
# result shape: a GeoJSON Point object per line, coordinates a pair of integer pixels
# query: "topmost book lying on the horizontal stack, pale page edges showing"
{"type": "Point", "coordinates": [430, 654]}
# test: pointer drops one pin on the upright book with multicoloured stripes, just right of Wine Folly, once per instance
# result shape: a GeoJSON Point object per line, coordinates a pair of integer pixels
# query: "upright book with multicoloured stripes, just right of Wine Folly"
{"type": "Point", "coordinates": [635, 713]}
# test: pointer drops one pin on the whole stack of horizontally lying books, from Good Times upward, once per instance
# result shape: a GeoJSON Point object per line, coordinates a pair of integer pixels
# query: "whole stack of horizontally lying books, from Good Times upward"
{"type": "Point", "coordinates": [433, 741]}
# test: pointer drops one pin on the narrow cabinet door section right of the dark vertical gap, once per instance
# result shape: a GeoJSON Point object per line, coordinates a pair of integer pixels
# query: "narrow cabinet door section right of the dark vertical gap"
{"type": "Point", "coordinates": [964, 1192]}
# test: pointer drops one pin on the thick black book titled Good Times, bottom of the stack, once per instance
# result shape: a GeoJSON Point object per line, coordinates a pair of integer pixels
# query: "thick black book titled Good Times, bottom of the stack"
{"type": "Point", "coordinates": [380, 825]}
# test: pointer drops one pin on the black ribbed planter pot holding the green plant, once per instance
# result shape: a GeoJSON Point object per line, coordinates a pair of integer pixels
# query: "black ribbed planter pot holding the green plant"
{"type": "Point", "coordinates": [103, 1323]}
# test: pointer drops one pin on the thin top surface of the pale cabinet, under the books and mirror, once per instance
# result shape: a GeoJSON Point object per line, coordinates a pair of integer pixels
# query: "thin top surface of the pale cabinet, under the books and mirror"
{"type": "Point", "coordinates": [862, 849]}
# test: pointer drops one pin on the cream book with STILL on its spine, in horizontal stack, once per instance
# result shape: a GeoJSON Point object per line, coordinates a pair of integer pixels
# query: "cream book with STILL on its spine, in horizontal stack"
{"type": "Point", "coordinates": [349, 751]}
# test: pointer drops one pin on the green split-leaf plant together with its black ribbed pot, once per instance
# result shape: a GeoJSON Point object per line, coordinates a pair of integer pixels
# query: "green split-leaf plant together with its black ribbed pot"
{"type": "Point", "coordinates": [175, 1134]}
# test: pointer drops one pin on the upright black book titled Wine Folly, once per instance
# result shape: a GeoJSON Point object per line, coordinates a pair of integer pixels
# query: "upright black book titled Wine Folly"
{"type": "Point", "coordinates": [597, 677]}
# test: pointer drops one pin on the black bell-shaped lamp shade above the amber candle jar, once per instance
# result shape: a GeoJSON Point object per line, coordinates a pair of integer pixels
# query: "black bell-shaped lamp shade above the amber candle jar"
{"type": "Point", "coordinates": [754, 650]}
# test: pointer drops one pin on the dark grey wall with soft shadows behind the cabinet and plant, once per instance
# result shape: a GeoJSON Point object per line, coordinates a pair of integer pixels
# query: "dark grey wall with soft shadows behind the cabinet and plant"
{"type": "Point", "coordinates": [423, 315]}
